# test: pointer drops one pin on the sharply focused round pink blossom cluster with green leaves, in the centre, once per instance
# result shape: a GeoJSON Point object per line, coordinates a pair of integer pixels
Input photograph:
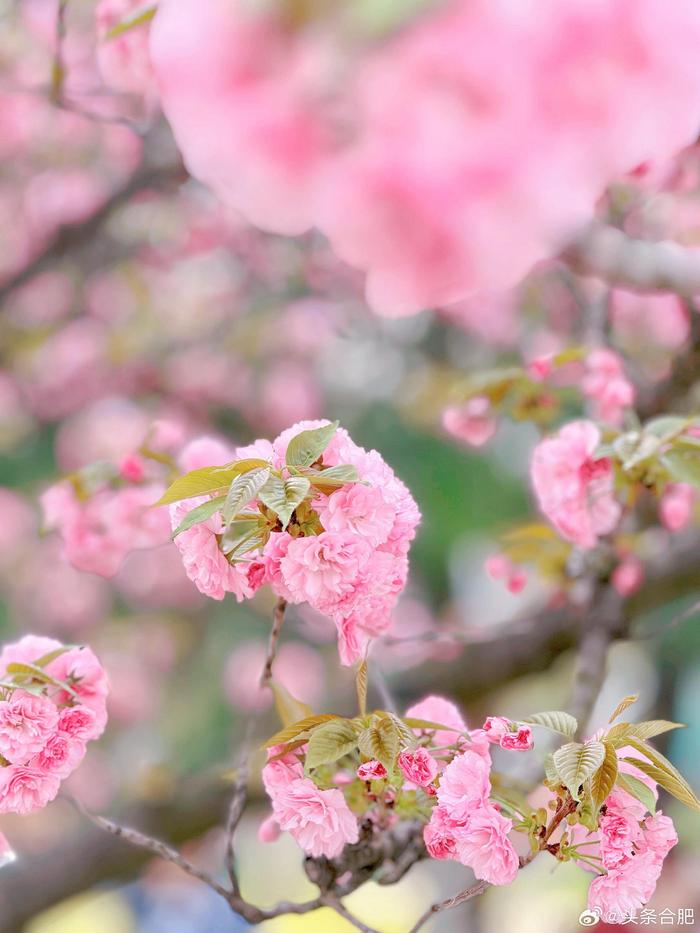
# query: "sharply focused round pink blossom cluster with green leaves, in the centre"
{"type": "Point", "coordinates": [312, 514]}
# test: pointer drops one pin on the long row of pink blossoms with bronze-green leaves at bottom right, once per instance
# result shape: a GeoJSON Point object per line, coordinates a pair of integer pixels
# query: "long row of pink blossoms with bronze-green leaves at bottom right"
{"type": "Point", "coordinates": [332, 780]}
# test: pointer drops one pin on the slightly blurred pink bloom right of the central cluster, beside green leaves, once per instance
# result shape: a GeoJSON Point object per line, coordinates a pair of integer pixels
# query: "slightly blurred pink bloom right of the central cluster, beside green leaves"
{"type": "Point", "coordinates": [574, 489]}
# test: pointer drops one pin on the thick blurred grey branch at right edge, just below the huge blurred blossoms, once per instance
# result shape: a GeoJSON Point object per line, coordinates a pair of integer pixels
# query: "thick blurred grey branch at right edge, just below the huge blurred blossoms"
{"type": "Point", "coordinates": [641, 265]}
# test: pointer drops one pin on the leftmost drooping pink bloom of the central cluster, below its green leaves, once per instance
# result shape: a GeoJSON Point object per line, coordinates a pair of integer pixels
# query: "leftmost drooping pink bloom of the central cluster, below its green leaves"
{"type": "Point", "coordinates": [205, 564]}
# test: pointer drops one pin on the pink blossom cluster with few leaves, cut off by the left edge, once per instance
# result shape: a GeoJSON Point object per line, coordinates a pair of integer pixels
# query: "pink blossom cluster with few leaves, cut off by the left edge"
{"type": "Point", "coordinates": [52, 703]}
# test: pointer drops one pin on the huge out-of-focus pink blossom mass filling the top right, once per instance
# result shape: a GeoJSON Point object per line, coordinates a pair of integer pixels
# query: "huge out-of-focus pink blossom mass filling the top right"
{"type": "Point", "coordinates": [399, 147]}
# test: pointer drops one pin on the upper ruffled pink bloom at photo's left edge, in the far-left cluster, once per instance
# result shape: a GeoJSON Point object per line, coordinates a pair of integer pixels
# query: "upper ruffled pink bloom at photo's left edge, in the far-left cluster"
{"type": "Point", "coordinates": [26, 724]}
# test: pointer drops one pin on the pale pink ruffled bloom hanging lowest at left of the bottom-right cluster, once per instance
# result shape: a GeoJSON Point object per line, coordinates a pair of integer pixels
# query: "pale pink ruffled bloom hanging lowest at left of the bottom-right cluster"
{"type": "Point", "coordinates": [320, 820]}
